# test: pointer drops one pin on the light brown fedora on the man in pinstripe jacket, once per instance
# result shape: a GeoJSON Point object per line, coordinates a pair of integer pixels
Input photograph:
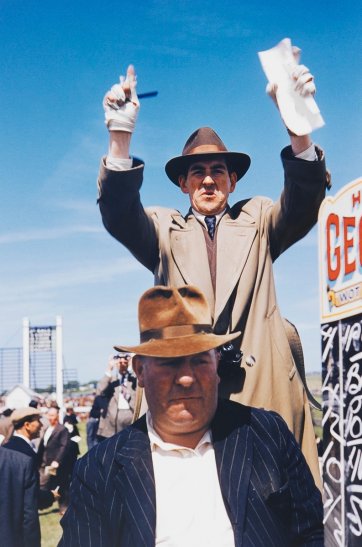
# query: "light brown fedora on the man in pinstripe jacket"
{"type": "Point", "coordinates": [175, 322]}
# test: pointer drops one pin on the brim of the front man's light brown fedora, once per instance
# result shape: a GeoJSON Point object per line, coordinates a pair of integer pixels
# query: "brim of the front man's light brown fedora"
{"type": "Point", "coordinates": [181, 346]}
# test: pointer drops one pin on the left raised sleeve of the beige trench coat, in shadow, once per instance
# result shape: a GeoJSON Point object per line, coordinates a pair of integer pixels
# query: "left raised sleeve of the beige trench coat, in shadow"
{"type": "Point", "coordinates": [124, 216]}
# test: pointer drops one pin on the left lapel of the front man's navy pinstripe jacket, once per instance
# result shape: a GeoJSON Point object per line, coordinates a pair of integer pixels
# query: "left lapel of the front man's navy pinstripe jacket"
{"type": "Point", "coordinates": [136, 484]}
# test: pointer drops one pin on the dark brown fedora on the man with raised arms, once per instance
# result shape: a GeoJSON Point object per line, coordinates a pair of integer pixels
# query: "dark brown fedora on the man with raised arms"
{"type": "Point", "coordinates": [204, 142]}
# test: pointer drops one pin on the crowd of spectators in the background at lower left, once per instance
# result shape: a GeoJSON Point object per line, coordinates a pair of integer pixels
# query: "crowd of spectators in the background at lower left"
{"type": "Point", "coordinates": [50, 447]}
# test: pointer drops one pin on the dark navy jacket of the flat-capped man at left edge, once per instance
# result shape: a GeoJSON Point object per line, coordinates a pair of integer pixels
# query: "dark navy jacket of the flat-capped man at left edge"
{"type": "Point", "coordinates": [19, 521]}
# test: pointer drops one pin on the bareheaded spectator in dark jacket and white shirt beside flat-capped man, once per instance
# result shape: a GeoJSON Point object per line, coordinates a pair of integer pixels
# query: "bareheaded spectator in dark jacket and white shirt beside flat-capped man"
{"type": "Point", "coordinates": [52, 456]}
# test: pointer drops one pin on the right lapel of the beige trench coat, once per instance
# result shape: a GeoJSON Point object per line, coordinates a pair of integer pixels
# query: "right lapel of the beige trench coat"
{"type": "Point", "coordinates": [234, 240]}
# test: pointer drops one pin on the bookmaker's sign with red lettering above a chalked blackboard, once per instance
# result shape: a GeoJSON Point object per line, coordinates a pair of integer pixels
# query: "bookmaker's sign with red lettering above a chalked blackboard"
{"type": "Point", "coordinates": [340, 260]}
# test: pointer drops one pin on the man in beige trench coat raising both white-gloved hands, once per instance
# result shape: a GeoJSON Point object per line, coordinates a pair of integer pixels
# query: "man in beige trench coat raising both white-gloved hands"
{"type": "Point", "coordinates": [226, 249]}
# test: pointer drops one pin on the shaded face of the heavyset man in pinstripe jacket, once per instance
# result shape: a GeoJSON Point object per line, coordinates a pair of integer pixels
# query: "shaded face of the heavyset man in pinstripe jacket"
{"type": "Point", "coordinates": [181, 394]}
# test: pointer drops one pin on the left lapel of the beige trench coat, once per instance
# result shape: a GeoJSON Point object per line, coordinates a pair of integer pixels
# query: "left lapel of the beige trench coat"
{"type": "Point", "coordinates": [190, 255]}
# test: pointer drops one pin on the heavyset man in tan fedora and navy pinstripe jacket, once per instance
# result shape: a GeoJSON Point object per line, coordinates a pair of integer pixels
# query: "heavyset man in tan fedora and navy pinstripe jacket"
{"type": "Point", "coordinates": [195, 470]}
